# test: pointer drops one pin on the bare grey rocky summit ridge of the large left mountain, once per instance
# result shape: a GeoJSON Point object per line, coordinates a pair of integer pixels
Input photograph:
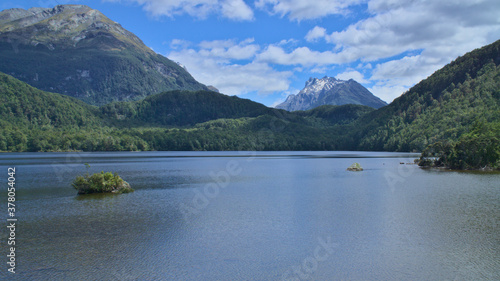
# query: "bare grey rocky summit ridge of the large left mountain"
{"type": "Point", "coordinates": [63, 26]}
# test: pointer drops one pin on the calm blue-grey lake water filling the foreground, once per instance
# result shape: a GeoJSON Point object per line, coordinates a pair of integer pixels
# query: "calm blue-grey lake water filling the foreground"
{"type": "Point", "coordinates": [239, 216]}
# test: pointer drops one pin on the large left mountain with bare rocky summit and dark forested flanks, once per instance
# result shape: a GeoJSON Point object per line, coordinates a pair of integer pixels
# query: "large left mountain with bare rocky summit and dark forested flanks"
{"type": "Point", "coordinates": [77, 51]}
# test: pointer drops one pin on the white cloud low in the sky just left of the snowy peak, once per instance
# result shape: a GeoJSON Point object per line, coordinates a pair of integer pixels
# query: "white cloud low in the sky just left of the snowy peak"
{"type": "Point", "coordinates": [212, 63]}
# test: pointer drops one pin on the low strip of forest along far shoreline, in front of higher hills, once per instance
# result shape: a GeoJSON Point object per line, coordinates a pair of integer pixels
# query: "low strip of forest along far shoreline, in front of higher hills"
{"type": "Point", "coordinates": [261, 133]}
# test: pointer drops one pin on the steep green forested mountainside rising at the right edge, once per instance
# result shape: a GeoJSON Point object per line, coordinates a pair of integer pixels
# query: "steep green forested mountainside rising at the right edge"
{"type": "Point", "coordinates": [448, 104]}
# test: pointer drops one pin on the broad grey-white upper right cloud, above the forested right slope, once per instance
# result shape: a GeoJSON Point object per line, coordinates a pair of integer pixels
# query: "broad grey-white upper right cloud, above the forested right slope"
{"type": "Point", "coordinates": [414, 25]}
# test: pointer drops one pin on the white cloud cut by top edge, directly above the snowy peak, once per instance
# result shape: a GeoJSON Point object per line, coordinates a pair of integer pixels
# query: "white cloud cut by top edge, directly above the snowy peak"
{"type": "Point", "coordinates": [304, 9]}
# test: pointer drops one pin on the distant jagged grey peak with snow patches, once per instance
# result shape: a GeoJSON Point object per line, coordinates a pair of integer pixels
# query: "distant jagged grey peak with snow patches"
{"type": "Point", "coordinates": [329, 90]}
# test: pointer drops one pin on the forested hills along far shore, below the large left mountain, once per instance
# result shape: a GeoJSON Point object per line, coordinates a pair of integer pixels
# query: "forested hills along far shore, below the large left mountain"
{"type": "Point", "coordinates": [33, 120]}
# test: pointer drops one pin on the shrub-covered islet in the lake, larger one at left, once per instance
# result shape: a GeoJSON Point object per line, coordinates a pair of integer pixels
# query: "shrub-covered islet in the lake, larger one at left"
{"type": "Point", "coordinates": [101, 183]}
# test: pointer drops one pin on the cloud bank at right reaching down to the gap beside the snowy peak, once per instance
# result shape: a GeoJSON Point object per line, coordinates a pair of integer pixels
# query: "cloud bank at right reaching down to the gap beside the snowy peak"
{"type": "Point", "coordinates": [436, 31]}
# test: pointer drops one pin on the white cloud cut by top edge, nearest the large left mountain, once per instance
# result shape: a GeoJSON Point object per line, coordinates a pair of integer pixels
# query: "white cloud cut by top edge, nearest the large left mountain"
{"type": "Point", "coordinates": [232, 9]}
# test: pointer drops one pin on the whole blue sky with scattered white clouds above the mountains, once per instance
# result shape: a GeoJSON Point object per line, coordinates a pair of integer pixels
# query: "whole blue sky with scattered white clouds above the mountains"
{"type": "Point", "coordinates": [265, 50]}
